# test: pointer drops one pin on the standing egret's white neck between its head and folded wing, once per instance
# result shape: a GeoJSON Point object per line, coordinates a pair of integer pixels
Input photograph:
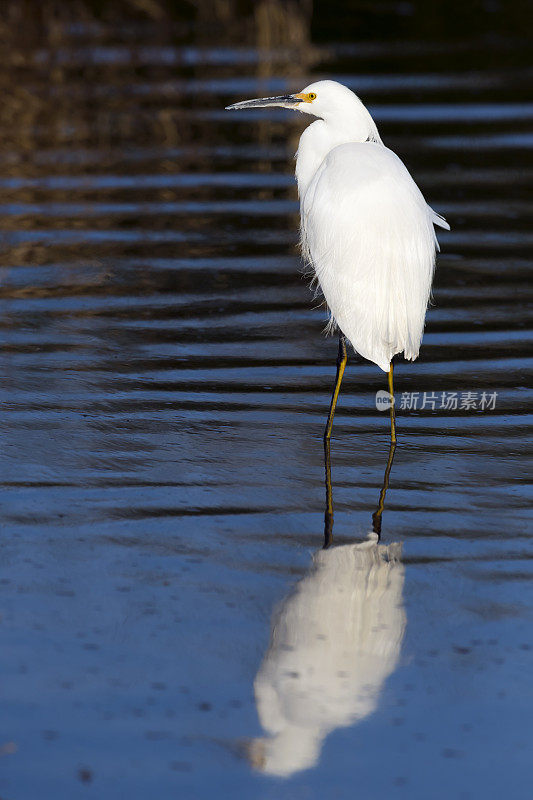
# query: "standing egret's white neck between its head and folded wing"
{"type": "Point", "coordinates": [323, 135]}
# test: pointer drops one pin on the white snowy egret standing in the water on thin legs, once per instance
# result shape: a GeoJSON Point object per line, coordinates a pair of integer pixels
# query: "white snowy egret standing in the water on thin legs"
{"type": "Point", "coordinates": [365, 229]}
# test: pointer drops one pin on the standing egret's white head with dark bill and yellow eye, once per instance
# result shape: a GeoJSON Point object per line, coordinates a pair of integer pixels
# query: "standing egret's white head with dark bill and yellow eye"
{"type": "Point", "coordinates": [328, 100]}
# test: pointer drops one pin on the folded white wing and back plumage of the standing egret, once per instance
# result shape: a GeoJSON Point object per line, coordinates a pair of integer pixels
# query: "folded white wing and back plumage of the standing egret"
{"type": "Point", "coordinates": [369, 235]}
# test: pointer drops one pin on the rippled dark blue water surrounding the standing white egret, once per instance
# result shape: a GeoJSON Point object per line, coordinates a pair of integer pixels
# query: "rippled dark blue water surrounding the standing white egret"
{"type": "Point", "coordinates": [165, 384]}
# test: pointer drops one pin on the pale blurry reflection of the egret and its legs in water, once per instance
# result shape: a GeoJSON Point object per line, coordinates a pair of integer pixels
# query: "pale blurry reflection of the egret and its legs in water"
{"type": "Point", "coordinates": [335, 639]}
